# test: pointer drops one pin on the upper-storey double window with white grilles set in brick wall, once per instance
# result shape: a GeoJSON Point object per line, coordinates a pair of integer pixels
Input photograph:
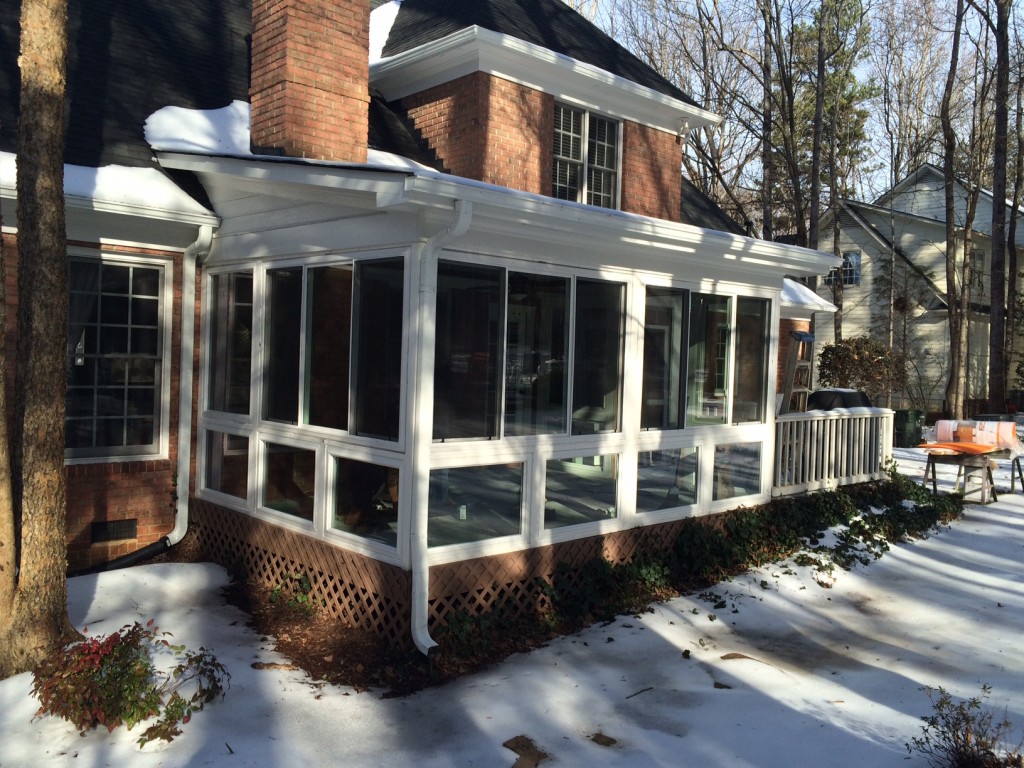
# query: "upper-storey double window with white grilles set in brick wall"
{"type": "Point", "coordinates": [585, 167]}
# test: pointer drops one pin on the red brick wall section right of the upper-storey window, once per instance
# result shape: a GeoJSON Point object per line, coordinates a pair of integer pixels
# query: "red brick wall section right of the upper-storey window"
{"type": "Point", "coordinates": [652, 173]}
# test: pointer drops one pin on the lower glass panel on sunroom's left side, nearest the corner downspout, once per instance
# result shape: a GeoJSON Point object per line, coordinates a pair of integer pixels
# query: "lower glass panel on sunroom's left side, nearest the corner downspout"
{"type": "Point", "coordinates": [367, 500]}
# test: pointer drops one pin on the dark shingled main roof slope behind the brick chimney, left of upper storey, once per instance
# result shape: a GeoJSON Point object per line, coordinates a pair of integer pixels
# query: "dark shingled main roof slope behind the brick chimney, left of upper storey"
{"type": "Point", "coordinates": [129, 60]}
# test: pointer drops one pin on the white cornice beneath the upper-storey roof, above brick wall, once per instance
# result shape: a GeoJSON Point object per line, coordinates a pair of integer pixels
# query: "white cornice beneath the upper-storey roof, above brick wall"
{"type": "Point", "coordinates": [477, 50]}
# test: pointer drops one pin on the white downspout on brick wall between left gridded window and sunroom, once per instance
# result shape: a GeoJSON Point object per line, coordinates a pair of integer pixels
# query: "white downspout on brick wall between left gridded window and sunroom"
{"type": "Point", "coordinates": [194, 255]}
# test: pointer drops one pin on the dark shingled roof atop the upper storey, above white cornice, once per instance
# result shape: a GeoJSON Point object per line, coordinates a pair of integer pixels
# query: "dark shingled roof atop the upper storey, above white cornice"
{"type": "Point", "coordinates": [550, 24]}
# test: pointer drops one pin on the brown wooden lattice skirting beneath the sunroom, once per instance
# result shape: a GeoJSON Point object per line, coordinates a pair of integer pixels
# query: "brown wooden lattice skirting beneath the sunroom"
{"type": "Point", "coordinates": [376, 596]}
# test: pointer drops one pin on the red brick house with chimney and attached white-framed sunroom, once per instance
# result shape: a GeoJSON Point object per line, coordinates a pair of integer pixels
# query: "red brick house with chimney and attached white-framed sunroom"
{"type": "Point", "coordinates": [423, 330]}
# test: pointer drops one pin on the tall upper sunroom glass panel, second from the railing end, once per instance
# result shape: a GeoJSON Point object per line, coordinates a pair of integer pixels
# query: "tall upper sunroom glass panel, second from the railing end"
{"type": "Point", "coordinates": [708, 359]}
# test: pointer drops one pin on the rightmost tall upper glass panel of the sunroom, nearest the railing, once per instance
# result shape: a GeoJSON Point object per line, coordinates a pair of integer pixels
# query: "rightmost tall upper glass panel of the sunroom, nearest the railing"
{"type": "Point", "coordinates": [751, 377]}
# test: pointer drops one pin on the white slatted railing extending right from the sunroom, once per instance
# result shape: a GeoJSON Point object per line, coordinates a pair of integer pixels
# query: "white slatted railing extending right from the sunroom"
{"type": "Point", "coordinates": [826, 449]}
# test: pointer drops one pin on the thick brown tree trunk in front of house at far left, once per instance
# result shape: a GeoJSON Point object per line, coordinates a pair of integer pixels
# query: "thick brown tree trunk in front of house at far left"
{"type": "Point", "coordinates": [36, 618]}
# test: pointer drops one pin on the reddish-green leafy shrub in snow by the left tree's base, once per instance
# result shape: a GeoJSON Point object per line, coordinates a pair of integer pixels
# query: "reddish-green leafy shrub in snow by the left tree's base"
{"type": "Point", "coordinates": [112, 680]}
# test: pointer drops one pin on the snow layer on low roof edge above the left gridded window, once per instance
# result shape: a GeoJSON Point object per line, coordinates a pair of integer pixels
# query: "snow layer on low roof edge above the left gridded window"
{"type": "Point", "coordinates": [115, 185]}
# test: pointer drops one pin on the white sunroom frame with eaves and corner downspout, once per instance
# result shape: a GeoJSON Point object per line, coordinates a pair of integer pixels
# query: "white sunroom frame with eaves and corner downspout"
{"type": "Point", "coordinates": [286, 212]}
